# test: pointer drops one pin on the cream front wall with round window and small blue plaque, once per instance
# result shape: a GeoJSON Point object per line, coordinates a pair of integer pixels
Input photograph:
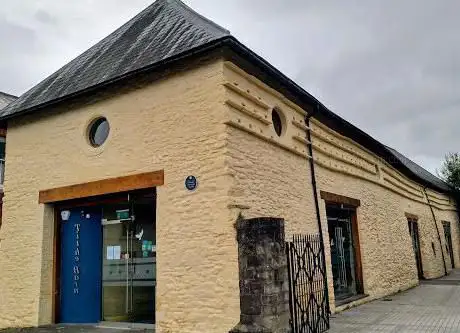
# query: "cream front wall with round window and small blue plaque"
{"type": "Point", "coordinates": [175, 124]}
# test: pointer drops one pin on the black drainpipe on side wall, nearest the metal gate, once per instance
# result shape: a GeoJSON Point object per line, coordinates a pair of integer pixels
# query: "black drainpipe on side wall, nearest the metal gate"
{"type": "Point", "coordinates": [315, 196]}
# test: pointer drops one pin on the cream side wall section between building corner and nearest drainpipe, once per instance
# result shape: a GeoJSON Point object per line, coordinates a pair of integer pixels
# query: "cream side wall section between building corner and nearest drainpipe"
{"type": "Point", "coordinates": [268, 178]}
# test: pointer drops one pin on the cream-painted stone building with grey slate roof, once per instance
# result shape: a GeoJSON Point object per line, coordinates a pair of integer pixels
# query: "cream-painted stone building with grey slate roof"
{"type": "Point", "coordinates": [172, 120]}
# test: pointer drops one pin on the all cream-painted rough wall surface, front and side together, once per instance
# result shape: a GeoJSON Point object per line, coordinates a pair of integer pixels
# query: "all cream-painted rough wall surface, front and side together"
{"type": "Point", "coordinates": [214, 122]}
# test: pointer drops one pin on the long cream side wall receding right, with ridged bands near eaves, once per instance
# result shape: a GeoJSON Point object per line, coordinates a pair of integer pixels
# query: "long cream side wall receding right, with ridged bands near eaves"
{"type": "Point", "coordinates": [271, 176]}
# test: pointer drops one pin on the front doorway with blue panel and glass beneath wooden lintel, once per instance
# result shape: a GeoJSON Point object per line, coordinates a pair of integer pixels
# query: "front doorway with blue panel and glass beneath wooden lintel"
{"type": "Point", "coordinates": [107, 259]}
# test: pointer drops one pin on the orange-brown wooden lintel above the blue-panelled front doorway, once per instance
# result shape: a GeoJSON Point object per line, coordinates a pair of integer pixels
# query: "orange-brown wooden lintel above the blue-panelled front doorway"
{"type": "Point", "coordinates": [101, 187]}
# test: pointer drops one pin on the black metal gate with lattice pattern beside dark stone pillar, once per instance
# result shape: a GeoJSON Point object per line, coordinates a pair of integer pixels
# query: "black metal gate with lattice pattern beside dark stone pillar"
{"type": "Point", "coordinates": [308, 294]}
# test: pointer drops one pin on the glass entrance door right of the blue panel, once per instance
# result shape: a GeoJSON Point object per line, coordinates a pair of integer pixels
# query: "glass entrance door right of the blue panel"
{"type": "Point", "coordinates": [129, 262]}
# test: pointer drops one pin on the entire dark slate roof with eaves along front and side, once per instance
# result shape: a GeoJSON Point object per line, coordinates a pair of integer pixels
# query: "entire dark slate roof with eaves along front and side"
{"type": "Point", "coordinates": [170, 31]}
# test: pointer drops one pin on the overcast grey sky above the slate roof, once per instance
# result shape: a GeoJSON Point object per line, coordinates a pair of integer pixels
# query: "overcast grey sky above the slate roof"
{"type": "Point", "coordinates": [391, 68]}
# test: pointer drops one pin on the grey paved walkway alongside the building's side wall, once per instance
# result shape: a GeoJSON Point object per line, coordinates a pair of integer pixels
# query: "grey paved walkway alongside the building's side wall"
{"type": "Point", "coordinates": [433, 306]}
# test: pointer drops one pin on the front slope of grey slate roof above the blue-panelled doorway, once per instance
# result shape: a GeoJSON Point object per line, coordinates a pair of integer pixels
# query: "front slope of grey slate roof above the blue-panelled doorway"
{"type": "Point", "coordinates": [164, 29]}
